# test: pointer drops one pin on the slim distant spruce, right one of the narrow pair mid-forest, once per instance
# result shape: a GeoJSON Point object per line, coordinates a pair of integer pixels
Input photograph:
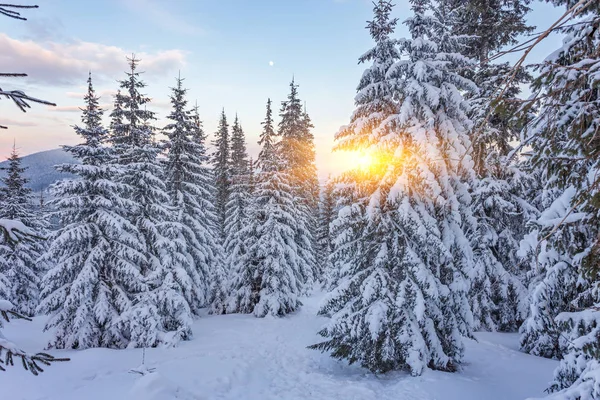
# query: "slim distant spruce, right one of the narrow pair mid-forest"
{"type": "Point", "coordinates": [239, 199]}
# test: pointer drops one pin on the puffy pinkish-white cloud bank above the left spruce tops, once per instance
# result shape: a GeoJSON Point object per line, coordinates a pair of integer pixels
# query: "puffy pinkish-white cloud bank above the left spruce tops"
{"type": "Point", "coordinates": [55, 63]}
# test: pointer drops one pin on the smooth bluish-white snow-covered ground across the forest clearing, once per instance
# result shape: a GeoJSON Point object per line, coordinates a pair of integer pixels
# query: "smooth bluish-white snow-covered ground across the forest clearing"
{"type": "Point", "coordinates": [242, 357]}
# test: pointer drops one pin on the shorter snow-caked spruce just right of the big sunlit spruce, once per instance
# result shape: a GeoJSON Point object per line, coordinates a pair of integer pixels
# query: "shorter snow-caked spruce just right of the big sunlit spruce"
{"type": "Point", "coordinates": [498, 295]}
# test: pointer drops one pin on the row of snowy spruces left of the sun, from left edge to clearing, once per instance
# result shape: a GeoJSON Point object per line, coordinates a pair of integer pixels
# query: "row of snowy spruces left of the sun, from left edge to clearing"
{"type": "Point", "coordinates": [151, 231]}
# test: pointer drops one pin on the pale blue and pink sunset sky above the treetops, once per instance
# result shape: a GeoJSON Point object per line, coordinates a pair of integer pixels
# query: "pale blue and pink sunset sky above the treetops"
{"type": "Point", "coordinates": [233, 54]}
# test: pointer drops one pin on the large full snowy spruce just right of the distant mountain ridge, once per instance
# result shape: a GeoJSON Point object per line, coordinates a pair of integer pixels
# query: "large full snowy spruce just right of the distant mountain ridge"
{"type": "Point", "coordinates": [96, 253]}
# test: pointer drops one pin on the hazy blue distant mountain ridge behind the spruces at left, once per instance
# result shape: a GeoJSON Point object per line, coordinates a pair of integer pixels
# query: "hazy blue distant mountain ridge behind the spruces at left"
{"type": "Point", "coordinates": [40, 168]}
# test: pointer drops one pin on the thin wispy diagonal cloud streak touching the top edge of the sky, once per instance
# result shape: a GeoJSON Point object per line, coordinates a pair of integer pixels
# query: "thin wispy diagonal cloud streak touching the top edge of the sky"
{"type": "Point", "coordinates": [162, 16]}
